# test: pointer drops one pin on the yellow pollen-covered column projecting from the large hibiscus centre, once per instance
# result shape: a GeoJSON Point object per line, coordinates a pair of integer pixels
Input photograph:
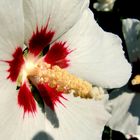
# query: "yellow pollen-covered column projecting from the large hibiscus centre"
{"type": "Point", "coordinates": [63, 81]}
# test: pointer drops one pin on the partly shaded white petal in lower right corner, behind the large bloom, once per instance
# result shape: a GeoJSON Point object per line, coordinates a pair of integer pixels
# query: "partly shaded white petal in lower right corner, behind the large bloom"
{"type": "Point", "coordinates": [124, 108]}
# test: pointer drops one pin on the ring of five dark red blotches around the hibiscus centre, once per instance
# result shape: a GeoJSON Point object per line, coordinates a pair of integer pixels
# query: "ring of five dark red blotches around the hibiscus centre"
{"type": "Point", "coordinates": [56, 55]}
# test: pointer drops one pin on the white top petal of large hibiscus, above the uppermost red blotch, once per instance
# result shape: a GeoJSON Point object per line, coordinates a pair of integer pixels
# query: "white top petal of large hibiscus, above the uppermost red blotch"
{"type": "Point", "coordinates": [62, 15]}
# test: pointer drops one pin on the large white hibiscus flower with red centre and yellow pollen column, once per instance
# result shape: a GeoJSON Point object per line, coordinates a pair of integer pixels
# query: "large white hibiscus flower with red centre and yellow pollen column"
{"type": "Point", "coordinates": [50, 49]}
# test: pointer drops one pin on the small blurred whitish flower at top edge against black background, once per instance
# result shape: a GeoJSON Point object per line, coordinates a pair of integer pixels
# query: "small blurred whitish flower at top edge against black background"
{"type": "Point", "coordinates": [104, 5]}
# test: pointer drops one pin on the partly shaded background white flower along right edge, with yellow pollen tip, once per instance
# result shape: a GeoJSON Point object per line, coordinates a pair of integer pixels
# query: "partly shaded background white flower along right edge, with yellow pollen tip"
{"type": "Point", "coordinates": [124, 103]}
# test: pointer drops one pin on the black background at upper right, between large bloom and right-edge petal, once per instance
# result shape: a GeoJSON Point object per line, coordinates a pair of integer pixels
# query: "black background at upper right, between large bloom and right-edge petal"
{"type": "Point", "coordinates": [111, 21]}
